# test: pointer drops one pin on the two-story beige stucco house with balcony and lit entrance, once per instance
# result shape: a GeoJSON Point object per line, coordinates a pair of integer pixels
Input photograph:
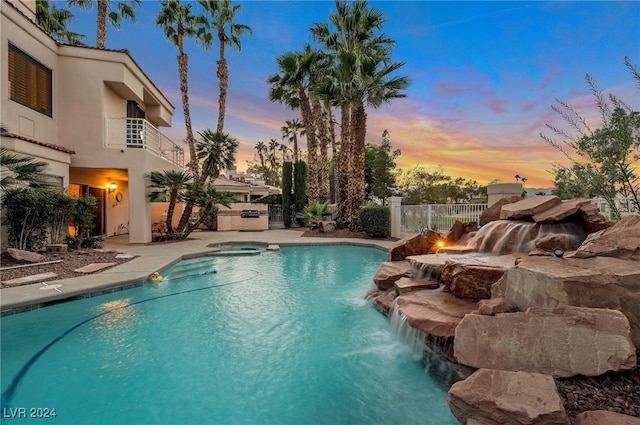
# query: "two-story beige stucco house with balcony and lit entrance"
{"type": "Point", "coordinates": [92, 114]}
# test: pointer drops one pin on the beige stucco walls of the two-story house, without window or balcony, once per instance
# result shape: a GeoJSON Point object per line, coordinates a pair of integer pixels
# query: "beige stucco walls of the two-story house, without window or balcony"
{"type": "Point", "coordinates": [89, 85]}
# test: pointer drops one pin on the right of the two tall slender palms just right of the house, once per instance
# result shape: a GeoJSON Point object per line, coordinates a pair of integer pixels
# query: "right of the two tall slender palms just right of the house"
{"type": "Point", "coordinates": [222, 14]}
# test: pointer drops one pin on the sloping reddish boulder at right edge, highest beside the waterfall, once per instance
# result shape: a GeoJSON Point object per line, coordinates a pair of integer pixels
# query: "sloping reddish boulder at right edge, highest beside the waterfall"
{"type": "Point", "coordinates": [620, 241]}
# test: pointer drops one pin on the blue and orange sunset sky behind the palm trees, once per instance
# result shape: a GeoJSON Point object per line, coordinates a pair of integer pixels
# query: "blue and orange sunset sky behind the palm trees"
{"type": "Point", "coordinates": [483, 76]}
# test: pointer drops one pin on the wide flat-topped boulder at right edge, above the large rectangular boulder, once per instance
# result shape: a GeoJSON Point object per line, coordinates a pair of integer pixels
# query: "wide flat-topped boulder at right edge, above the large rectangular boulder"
{"type": "Point", "coordinates": [598, 282]}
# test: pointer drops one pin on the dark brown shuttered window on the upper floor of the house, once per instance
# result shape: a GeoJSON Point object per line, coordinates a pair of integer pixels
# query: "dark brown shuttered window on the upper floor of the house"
{"type": "Point", "coordinates": [30, 82]}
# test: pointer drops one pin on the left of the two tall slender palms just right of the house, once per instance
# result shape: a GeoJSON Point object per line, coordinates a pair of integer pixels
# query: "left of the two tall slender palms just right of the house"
{"type": "Point", "coordinates": [178, 22]}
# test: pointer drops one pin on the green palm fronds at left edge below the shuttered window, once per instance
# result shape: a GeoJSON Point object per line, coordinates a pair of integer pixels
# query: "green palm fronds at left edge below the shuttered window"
{"type": "Point", "coordinates": [22, 170]}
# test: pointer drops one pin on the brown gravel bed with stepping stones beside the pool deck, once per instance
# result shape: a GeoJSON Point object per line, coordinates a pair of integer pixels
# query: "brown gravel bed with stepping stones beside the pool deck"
{"type": "Point", "coordinates": [65, 269]}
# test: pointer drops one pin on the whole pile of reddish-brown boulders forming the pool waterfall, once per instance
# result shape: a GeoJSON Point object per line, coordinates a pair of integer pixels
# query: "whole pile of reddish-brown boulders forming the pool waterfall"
{"type": "Point", "coordinates": [536, 316]}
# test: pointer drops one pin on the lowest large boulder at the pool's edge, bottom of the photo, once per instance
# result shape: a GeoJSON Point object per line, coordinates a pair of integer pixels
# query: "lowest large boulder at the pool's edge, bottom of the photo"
{"type": "Point", "coordinates": [497, 397]}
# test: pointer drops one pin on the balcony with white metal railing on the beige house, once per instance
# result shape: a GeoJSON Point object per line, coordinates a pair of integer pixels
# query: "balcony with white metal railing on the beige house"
{"type": "Point", "coordinates": [138, 133]}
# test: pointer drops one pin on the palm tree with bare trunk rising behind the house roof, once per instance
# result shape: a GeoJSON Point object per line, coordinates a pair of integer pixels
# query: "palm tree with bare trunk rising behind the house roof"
{"type": "Point", "coordinates": [113, 11]}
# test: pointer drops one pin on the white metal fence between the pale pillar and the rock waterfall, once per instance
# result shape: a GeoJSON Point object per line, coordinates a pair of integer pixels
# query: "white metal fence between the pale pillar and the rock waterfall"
{"type": "Point", "coordinates": [438, 217]}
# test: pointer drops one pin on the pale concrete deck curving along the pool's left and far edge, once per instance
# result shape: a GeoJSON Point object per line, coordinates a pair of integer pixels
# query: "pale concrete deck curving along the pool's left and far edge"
{"type": "Point", "coordinates": [151, 258]}
